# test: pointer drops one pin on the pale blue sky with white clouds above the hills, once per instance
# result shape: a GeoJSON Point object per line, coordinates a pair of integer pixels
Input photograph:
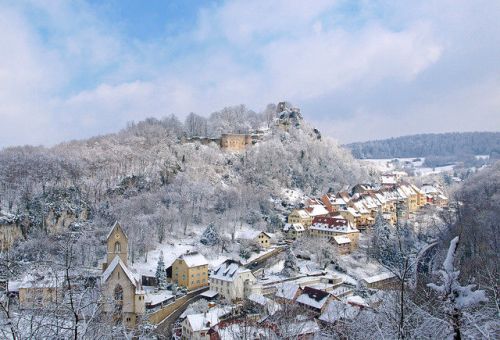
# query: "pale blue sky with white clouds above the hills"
{"type": "Point", "coordinates": [359, 70]}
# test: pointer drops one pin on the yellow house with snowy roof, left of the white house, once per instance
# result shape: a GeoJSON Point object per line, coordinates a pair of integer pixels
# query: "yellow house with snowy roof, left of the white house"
{"type": "Point", "coordinates": [190, 270]}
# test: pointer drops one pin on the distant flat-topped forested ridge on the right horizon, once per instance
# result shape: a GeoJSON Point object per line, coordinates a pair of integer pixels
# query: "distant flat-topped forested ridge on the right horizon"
{"type": "Point", "coordinates": [452, 146]}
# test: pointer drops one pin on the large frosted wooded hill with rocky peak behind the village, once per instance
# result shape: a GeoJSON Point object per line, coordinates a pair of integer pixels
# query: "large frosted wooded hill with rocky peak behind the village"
{"type": "Point", "coordinates": [159, 177]}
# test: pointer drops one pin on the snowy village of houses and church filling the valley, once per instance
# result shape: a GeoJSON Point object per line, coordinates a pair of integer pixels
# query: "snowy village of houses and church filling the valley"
{"type": "Point", "coordinates": [183, 294]}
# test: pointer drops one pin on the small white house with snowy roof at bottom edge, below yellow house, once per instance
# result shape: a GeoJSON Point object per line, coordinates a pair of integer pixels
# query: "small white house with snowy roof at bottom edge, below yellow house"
{"type": "Point", "coordinates": [199, 326]}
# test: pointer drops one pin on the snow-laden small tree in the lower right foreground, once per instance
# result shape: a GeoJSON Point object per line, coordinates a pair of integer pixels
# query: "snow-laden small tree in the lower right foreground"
{"type": "Point", "coordinates": [456, 298]}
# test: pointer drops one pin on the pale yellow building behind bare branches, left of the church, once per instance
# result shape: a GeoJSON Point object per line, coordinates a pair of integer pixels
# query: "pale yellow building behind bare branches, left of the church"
{"type": "Point", "coordinates": [41, 290]}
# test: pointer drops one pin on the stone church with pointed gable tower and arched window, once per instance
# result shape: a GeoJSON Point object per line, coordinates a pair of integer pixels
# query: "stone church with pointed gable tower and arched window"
{"type": "Point", "coordinates": [123, 295]}
